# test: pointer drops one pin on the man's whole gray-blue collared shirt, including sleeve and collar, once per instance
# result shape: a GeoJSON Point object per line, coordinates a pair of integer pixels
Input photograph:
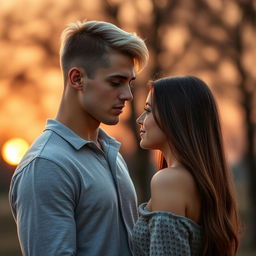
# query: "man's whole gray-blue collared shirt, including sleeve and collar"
{"type": "Point", "coordinates": [70, 198]}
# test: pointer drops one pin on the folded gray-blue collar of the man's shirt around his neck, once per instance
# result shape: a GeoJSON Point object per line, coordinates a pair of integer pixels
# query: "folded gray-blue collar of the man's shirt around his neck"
{"type": "Point", "coordinates": [75, 140]}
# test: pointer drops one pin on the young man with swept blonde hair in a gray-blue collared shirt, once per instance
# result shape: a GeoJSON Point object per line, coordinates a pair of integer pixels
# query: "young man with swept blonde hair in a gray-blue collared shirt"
{"type": "Point", "coordinates": [72, 194]}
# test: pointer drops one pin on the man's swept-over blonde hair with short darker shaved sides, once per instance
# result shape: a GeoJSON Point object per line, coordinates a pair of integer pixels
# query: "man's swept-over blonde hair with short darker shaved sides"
{"type": "Point", "coordinates": [87, 43]}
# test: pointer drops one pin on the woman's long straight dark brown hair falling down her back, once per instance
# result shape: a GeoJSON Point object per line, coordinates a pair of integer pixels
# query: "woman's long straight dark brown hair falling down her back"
{"type": "Point", "coordinates": [185, 109]}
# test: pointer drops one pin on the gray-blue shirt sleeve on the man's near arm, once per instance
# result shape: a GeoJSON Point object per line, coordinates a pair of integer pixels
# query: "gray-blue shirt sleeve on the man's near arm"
{"type": "Point", "coordinates": [42, 198]}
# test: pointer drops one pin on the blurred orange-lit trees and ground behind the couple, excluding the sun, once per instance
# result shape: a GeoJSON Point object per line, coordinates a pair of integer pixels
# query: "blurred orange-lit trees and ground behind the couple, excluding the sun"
{"type": "Point", "coordinates": [214, 40]}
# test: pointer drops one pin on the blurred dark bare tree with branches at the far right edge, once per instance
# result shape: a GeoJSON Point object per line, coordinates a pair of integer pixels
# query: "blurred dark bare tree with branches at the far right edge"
{"type": "Point", "coordinates": [233, 47]}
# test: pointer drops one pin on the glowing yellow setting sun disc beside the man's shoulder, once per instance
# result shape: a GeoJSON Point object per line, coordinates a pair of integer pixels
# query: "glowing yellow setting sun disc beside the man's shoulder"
{"type": "Point", "coordinates": [13, 150]}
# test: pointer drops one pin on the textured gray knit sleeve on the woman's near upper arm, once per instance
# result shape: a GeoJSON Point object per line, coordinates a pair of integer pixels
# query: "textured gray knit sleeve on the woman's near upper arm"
{"type": "Point", "coordinates": [168, 237]}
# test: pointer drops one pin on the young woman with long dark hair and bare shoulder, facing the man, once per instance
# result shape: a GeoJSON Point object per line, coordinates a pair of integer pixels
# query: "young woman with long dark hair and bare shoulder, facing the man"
{"type": "Point", "coordinates": [192, 210]}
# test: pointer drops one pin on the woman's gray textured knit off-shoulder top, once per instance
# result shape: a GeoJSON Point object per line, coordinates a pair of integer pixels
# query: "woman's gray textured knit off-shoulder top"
{"type": "Point", "coordinates": [161, 233]}
